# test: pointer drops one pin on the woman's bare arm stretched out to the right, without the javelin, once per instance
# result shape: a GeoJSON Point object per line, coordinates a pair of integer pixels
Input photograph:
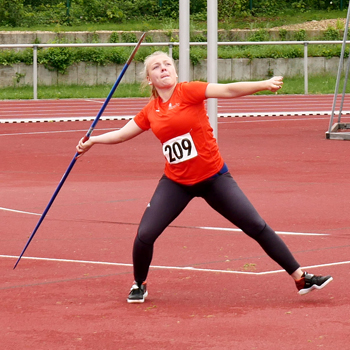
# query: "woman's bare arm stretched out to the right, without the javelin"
{"type": "Point", "coordinates": [239, 89]}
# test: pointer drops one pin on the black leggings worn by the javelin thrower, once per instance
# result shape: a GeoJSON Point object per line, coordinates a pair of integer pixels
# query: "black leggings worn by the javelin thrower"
{"type": "Point", "coordinates": [222, 194]}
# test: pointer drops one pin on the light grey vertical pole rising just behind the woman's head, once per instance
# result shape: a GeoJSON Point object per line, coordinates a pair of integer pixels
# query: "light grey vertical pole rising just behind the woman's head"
{"type": "Point", "coordinates": [184, 39]}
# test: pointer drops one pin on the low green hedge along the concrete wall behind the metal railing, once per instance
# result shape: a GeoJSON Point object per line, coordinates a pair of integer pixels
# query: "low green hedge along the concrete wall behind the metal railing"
{"type": "Point", "coordinates": [60, 58]}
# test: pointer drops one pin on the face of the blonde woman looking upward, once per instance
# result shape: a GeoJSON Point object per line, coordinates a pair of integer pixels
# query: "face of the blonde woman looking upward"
{"type": "Point", "coordinates": [161, 72]}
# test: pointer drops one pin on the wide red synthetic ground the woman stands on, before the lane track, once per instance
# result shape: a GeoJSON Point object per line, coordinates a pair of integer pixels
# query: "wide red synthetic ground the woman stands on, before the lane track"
{"type": "Point", "coordinates": [211, 287]}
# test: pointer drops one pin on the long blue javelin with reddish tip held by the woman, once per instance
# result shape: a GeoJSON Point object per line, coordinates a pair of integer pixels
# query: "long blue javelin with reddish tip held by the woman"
{"type": "Point", "coordinates": [86, 137]}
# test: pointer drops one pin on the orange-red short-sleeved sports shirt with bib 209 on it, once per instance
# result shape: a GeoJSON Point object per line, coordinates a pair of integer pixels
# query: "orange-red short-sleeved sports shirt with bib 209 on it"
{"type": "Point", "coordinates": [182, 126]}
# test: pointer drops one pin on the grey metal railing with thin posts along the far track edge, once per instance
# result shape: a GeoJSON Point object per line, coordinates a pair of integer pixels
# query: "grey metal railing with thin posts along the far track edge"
{"type": "Point", "coordinates": [170, 46]}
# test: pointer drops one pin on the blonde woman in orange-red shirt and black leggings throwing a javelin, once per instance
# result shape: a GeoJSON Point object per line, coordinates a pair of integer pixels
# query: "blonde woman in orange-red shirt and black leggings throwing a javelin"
{"type": "Point", "coordinates": [194, 168]}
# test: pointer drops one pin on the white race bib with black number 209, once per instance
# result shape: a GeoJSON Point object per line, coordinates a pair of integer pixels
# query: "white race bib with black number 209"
{"type": "Point", "coordinates": [179, 149]}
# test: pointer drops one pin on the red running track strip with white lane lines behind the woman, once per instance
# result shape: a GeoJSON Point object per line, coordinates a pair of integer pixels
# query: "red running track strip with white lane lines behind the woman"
{"type": "Point", "coordinates": [126, 108]}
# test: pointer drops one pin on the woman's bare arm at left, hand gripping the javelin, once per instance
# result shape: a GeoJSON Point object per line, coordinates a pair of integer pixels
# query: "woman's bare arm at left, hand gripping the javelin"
{"type": "Point", "coordinates": [127, 132]}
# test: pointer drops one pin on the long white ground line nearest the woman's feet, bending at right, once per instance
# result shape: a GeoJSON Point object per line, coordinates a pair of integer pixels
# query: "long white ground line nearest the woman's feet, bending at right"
{"type": "Point", "coordinates": [172, 267]}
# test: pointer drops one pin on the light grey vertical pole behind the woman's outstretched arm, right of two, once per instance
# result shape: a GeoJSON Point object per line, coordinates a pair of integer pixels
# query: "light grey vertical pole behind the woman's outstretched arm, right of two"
{"type": "Point", "coordinates": [212, 63]}
